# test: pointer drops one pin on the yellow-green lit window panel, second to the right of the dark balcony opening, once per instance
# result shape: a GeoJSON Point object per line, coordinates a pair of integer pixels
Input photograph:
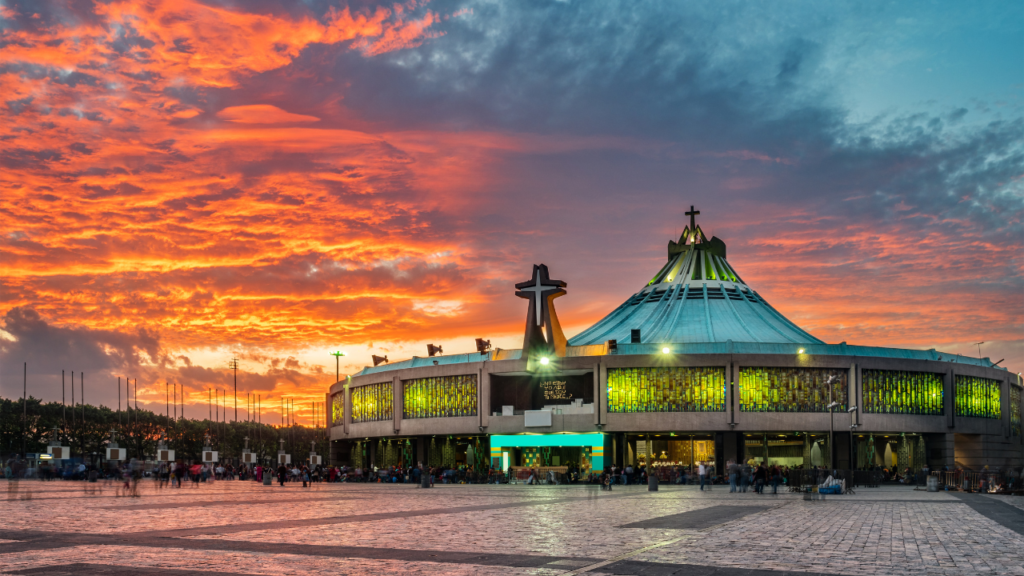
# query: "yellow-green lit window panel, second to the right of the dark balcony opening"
{"type": "Point", "coordinates": [791, 390]}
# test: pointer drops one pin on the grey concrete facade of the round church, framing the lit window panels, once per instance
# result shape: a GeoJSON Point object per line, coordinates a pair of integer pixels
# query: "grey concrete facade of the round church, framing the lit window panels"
{"type": "Point", "coordinates": [952, 440]}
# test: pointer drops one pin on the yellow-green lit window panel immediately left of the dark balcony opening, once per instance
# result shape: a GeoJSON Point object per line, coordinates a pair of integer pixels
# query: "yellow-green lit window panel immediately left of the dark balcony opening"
{"type": "Point", "coordinates": [440, 398]}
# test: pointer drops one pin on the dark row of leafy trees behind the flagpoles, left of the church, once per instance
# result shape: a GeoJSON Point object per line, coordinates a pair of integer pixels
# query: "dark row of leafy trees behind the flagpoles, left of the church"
{"type": "Point", "coordinates": [28, 427]}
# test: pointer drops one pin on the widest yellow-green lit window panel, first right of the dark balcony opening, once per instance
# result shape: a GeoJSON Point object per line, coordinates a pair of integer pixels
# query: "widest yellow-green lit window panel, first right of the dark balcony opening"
{"type": "Point", "coordinates": [667, 390]}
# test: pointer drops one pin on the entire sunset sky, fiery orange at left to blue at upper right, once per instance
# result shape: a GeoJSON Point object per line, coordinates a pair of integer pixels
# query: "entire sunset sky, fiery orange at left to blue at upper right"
{"type": "Point", "coordinates": [184, 182]}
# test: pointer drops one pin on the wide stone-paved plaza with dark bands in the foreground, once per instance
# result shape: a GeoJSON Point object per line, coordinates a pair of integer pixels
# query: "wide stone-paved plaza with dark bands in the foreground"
{"type": "Point", "coordinates": [238, 527]}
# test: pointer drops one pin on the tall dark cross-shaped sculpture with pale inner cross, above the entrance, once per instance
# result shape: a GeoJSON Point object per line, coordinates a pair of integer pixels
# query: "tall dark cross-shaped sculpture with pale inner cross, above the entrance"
{"type": "Point", "coordinates": [544, 335]}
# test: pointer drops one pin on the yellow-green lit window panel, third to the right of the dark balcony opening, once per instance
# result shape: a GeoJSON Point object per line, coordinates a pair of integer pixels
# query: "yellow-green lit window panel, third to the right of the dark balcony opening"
{"type": "Point", "coordinates": [894, 392]}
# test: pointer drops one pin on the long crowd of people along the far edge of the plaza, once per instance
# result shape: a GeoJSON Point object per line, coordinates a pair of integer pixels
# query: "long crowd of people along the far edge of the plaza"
{"type": "Point", "coordinates": [741, 477]}
